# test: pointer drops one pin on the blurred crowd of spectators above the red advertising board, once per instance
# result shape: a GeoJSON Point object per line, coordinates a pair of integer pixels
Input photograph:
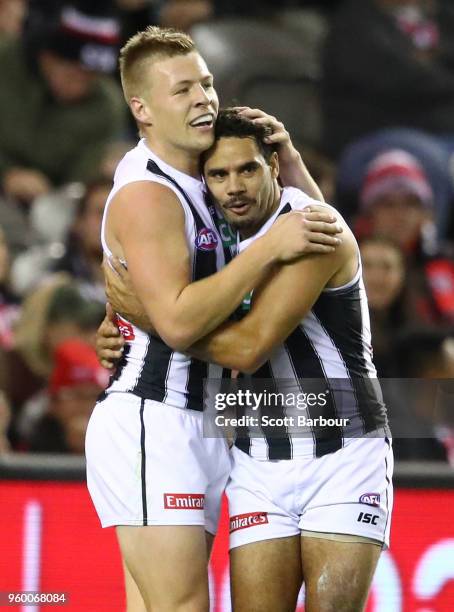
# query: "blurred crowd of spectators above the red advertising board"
{"type": "Point", "coordinates": [366, 88]}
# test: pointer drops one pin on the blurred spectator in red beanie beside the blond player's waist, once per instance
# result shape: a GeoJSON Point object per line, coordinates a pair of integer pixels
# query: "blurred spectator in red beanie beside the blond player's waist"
{"type": "Point", "coordinates": [75, 383]}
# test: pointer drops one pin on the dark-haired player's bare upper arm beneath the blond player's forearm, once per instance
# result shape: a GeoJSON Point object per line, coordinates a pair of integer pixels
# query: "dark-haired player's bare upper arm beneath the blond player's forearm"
{"type": "Point", "coordinates": [278, 307]}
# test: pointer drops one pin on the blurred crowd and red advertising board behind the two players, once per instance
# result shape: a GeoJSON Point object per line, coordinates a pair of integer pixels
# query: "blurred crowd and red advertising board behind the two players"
{"type": "Point", "coordinates": [366, 89]}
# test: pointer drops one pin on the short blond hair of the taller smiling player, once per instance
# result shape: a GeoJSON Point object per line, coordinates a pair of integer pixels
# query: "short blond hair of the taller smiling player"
{"type": "Point", "coordinates": [153, 42]}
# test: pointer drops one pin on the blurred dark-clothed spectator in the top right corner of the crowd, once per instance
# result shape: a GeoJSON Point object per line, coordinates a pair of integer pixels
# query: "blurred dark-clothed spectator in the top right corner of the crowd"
{"type": "Point", "coordinates": [388, 63]}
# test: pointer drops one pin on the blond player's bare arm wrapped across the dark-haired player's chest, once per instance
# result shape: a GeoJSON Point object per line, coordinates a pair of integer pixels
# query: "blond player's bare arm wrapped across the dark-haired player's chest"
{"type": "Point", "coordinates": [147, 223]}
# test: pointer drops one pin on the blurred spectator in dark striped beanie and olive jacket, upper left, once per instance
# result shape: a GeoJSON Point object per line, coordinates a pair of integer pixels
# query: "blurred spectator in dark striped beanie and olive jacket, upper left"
{"type": "Point", "coordinates": [59, 109]}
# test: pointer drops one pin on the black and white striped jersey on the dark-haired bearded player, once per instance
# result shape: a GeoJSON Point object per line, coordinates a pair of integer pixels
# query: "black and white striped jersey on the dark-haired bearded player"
{"type": "Point", "coordinates": [332, 348]}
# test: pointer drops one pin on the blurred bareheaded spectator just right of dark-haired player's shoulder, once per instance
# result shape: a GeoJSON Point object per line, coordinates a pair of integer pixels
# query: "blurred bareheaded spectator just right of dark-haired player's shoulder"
{"type": "Point", "coordinates": [384, 278]}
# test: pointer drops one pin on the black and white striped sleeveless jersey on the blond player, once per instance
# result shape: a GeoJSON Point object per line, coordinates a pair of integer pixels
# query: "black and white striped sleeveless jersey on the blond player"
{"type": "Point", "coordinates": [149, 368]}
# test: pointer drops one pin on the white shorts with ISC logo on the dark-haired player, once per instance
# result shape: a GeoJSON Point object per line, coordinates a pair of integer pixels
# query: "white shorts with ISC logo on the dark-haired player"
{"type": "Point", "coordinates": [346, 492]}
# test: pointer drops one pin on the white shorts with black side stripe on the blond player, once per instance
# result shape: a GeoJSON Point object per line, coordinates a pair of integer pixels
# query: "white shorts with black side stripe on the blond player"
{"type": "Point", "coordinates": [149, 464]}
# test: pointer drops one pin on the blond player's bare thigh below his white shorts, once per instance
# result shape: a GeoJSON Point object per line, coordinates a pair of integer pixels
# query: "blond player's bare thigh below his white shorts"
{"type": "Point", "coordinates": [169, 565]}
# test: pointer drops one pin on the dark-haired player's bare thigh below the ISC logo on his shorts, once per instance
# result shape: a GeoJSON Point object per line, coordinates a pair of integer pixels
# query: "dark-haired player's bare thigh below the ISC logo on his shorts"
{"type": "Point", "coordinates": [337, 575]}
